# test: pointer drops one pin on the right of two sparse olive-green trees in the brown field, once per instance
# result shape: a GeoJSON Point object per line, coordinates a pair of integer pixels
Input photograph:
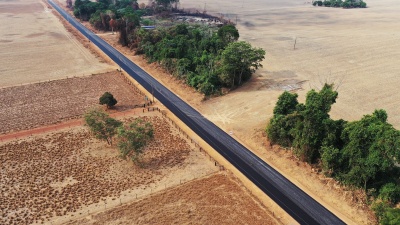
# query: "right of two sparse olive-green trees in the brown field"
{"type": "Point", "coordinates": [133, 137]}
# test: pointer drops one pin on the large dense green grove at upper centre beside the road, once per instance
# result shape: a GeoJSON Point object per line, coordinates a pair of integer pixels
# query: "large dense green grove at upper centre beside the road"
{"type": "Point", "coordinates": [207, 59]}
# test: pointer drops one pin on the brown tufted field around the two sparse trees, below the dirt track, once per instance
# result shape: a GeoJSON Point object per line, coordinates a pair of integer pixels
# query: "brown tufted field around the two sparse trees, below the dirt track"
{"type": "Point", "coordinates": [60, 176]}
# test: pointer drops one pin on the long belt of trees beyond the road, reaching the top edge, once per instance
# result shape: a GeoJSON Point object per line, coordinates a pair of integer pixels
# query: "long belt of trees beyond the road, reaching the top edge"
{"type": "Point", "coordinates": [207, 58]}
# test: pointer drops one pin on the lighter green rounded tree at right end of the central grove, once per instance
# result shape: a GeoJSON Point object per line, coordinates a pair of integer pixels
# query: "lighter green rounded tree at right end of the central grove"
{"type": "Point", "coordinates": [239, 61]}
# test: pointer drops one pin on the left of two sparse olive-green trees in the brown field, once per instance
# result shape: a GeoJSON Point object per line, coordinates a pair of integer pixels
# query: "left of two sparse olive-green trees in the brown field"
{"type": "Point", "coordinates": [101, 125]}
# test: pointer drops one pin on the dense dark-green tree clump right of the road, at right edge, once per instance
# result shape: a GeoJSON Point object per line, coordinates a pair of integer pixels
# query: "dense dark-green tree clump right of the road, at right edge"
{"type": "Point", "coordinates": [363, 154]}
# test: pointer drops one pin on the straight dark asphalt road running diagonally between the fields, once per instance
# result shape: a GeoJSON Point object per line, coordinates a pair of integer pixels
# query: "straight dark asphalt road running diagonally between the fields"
{"type": "Point", "coordinates": [293, 200]}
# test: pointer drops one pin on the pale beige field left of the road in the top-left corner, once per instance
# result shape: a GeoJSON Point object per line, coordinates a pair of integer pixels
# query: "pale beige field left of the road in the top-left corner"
{"type": "Point", "coordinates": [34, 46]}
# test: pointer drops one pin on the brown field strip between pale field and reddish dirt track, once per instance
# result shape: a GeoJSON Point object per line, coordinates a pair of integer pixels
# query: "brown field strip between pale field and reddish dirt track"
{"type": "Point", "coordinates": [33, 105]}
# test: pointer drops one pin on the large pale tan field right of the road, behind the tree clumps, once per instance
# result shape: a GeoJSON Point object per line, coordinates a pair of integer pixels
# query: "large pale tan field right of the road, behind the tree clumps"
{"type": "Point", "coordinates": [357, 49]}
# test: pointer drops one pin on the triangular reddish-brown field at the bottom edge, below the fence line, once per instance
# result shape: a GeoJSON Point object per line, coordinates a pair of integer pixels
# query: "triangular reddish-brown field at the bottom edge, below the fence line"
{"type": "Point", "coordinates": [216, 199]}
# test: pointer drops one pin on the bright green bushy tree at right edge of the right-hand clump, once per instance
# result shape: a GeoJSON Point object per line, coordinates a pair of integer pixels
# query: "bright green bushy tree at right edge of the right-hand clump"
{"type": "Point", "coordinates": [371, 149]}
